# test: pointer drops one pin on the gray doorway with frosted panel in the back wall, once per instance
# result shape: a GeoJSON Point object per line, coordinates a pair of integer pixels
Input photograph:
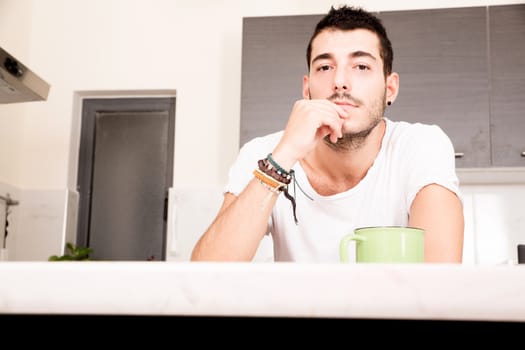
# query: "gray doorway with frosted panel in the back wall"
{"type": "Point", "coordinates": [125, 169]}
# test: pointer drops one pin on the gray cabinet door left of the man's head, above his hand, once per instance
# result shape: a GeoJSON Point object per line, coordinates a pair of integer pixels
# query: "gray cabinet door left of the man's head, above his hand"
{"type": "Point", "coordinates": [273, 66]}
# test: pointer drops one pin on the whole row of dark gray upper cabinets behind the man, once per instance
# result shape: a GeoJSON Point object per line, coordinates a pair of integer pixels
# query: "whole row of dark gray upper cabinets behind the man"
{"type": "Point", "coordinates": [460, 68]}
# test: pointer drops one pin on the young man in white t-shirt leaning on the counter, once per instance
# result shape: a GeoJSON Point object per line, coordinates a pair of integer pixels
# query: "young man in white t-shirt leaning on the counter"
{"type": "Point", "coordinates": [340, 164]}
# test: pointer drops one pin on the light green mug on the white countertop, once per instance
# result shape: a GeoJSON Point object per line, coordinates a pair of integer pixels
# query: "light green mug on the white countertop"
{"type": "Point", "coordinates": [385, 244]}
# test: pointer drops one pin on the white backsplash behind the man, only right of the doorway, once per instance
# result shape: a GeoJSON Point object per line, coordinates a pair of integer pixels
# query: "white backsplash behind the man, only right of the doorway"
{"type": "Point", "coordinates": [493, 206]}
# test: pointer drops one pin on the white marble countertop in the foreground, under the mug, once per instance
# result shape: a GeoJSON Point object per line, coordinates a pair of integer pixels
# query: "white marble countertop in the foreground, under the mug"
{"type": "Point", "coordinates": [371, 291]}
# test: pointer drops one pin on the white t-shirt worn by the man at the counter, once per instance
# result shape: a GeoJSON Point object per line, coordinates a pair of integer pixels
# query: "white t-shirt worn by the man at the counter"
{"type": "Point", "coordinates": [411, 157]}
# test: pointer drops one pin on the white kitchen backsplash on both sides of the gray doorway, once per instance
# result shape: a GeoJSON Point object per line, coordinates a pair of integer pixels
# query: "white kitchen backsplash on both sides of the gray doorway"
{"type": "Point", "coordinates": [45, 219]}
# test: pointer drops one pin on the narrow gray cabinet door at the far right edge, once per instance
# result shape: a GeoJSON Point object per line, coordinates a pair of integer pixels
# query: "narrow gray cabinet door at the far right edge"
{"type": "Point", "coordinates": [507, 105]}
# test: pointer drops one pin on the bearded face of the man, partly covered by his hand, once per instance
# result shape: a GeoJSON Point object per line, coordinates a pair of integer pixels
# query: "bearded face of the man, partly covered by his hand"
{"type": "Point", "coordinates": [347, 69]}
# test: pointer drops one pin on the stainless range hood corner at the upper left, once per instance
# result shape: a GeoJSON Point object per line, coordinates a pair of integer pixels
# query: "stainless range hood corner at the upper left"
{"type": "Point", "coordinates": [18, 83]}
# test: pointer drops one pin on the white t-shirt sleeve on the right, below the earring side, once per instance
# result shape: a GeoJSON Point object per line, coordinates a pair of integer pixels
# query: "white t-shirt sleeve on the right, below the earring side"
{"type": "Point", "coordinates": [431, 161]}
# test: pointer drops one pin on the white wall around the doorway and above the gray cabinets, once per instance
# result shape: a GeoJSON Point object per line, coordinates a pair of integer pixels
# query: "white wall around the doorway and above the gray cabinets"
{"type": "Point", "coordinates": [193, 47]}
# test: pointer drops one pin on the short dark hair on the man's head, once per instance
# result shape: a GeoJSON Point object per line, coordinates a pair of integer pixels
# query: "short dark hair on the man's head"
{"type": "Point", "coordinates": [349, 18]}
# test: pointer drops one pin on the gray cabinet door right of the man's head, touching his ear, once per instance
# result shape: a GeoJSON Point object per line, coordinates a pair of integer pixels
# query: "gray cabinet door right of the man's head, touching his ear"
{"type": "Point", "coordinates": [441, 57]}
